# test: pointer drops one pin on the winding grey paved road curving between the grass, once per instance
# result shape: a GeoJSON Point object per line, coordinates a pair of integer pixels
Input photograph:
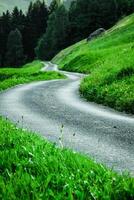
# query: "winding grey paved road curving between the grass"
{"type": "Point", "coordinates": [102, 133]}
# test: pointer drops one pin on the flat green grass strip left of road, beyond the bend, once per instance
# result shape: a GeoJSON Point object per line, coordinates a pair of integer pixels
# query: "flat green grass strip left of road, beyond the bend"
{"type": "Point", "coordinates": [30, 72]}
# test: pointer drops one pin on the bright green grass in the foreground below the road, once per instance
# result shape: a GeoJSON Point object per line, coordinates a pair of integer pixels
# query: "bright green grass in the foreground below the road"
{"type": "Point", "coordinates": [32, 168]}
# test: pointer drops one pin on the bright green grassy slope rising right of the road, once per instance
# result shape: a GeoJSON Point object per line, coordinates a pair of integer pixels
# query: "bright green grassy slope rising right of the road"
{"type": "Point", "coordinates": [110, 62]}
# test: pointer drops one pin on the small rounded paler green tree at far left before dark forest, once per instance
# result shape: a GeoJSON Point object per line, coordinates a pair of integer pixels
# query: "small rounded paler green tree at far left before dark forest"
{"type": "Point", "coordinates": [14, 55]}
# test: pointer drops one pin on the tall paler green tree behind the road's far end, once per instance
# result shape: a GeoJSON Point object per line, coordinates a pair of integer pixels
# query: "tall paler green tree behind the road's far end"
{"type": "Point", "coordinates": [56, 34]}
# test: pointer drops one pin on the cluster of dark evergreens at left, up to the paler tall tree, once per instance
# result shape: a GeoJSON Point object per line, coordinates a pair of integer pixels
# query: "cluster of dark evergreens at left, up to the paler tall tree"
{"type": "Point", "coordinates": [19, 33]}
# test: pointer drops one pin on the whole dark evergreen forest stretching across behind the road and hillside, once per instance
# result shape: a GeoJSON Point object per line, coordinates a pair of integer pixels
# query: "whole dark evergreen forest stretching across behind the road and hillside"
{"type": "Point", "coordinates": [43, 31]}
